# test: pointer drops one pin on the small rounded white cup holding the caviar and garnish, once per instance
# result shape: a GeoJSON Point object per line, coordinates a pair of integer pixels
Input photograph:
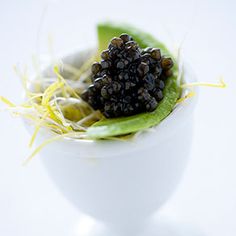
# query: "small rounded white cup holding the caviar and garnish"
{"type": "Point", "coordinates": [123, 181]}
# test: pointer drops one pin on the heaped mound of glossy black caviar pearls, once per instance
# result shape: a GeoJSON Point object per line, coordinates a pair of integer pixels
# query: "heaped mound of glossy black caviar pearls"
{"type": "Point", "coordinates": [128, 80]}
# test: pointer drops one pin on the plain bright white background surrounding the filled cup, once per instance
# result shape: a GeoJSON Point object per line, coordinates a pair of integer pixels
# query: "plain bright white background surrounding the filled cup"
{"type": "Point", "coordinates": [206, 198]}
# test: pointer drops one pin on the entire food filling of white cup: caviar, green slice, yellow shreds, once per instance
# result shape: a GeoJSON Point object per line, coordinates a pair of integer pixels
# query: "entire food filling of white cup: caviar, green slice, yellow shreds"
{"type": "Point", "coordinates": [135, 84]}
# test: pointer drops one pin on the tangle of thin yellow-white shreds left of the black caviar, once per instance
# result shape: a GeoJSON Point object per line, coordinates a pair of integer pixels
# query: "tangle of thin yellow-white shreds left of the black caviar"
{"type": "Point", "coordinates": [46, 106]}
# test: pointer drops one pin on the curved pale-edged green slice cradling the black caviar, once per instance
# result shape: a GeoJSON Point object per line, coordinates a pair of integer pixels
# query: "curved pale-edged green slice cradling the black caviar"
{"type": "Point", "coordinates": [125, 125]}
